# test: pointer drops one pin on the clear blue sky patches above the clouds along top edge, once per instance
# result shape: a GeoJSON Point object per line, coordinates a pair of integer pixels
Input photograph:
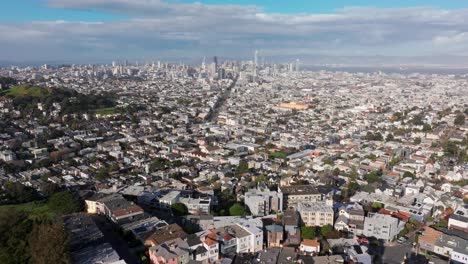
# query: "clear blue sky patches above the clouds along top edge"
{"type": "Point", "coordinates": [37, 10]}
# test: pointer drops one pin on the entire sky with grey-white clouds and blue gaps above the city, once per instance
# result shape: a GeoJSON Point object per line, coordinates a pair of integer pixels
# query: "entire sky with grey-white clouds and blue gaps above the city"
{"type": "Point", "coordinates": [105, 30]}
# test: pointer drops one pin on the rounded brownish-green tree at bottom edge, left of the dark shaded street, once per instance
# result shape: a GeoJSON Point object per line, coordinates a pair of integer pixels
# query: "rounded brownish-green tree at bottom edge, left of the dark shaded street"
{"type": "Point", "coordinates": [48, 243]}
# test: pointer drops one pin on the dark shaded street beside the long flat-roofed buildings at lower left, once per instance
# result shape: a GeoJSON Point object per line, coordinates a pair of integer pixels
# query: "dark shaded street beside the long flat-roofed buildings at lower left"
{"type": "Point", "coordinates": [111, 236]}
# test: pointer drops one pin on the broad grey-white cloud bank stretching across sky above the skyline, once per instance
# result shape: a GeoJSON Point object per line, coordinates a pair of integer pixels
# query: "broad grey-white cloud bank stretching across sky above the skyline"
{"type": "Point", "coordinates": [160, 28]}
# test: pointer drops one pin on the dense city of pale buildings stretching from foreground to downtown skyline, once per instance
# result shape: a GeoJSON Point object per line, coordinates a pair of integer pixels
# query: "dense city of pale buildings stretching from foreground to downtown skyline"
{"type": "Point", "coordinates": [236, 162]}
